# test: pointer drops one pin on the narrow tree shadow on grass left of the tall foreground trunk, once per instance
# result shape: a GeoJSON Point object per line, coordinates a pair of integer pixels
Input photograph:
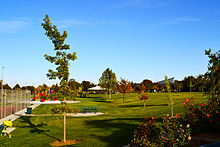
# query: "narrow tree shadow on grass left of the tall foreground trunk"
{"type": "Point", "coordinates": [35, 128]}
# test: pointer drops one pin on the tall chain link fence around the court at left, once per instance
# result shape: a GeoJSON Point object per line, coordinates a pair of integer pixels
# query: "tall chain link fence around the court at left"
{"type": "Point", "coordinates": [12, 101]}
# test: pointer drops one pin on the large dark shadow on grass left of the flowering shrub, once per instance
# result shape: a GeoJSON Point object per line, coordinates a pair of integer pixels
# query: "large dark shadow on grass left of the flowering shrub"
{"type": "Point", "coordinates": [121, 131]}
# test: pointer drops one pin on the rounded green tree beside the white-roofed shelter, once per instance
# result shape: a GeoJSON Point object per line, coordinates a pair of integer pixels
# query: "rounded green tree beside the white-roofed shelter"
{"type": "Point", "coordinates": [108, 80]}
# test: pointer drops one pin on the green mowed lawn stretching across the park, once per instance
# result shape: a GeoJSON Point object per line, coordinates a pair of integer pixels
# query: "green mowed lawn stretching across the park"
{"type": "Point", "coordinates": [114, 128]}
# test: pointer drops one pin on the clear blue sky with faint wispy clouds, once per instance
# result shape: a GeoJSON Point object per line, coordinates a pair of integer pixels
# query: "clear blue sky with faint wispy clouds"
{"type": "Point", "coordinates": [137, 39]}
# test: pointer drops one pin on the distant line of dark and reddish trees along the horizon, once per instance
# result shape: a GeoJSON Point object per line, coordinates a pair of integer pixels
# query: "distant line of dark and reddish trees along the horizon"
{"type": "Point", "coordinates": [189, 84]}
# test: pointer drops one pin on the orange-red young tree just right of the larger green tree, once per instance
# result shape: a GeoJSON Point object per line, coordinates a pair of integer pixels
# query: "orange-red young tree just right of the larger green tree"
{"type": "Point", "coordinates": [124, 87]}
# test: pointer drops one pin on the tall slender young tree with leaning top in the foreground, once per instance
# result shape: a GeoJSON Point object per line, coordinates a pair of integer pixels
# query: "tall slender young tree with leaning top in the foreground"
{"type": "Point", "coordinates": [61, 59]}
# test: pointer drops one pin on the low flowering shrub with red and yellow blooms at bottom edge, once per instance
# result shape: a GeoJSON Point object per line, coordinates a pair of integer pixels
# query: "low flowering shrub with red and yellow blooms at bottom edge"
{"type": "Point", "coordinates": [171, 133]}
